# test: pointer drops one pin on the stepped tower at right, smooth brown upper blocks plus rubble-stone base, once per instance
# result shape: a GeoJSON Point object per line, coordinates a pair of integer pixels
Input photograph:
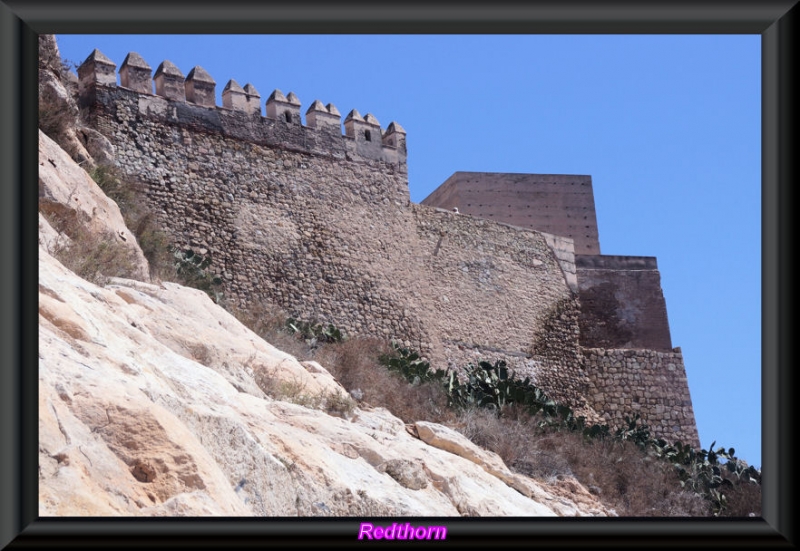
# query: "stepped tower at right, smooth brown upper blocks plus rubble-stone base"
{"type": "Point", "coordinates": [624, 335]}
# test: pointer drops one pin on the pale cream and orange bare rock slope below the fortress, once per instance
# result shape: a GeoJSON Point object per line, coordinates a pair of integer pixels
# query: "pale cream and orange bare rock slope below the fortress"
{"type": "Point", "coordinates": [155, 401]}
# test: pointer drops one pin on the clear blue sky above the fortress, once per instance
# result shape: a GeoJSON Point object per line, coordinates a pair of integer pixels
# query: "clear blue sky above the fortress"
{"type": "Point", "coordinates": [668, 126]}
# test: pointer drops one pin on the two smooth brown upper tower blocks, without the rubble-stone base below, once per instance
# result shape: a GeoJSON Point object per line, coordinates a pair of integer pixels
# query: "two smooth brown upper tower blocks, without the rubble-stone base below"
{"type": "Point", "coordinates": [622, 304]}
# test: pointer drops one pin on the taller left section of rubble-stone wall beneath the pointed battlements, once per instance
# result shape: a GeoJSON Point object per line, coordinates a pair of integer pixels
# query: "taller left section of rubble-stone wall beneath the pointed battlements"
{"type": "Point", "coordinates": [314, 232]}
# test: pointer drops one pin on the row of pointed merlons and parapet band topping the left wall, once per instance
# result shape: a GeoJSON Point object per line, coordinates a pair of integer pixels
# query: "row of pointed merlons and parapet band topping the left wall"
{"type": "Point", "coordinates": [167, 96]}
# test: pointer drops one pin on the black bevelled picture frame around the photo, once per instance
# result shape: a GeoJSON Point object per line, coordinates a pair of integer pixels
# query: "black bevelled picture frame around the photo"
{"type": "Point", "coordinates": [21, 21]}
